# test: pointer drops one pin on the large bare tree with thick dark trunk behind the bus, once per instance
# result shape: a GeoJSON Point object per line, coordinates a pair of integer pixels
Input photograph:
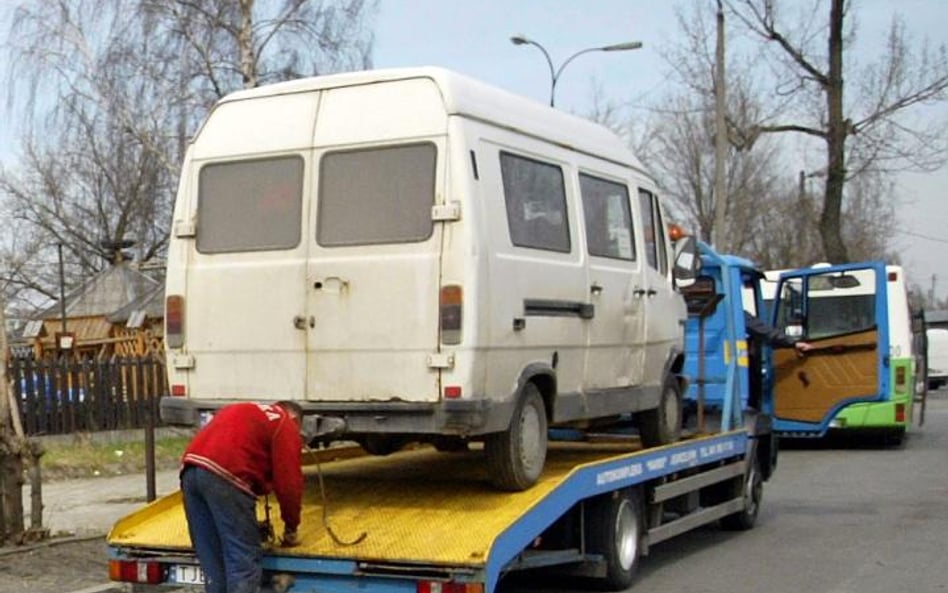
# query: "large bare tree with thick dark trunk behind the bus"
{"type": "Point", "coordinates": [869, 131]}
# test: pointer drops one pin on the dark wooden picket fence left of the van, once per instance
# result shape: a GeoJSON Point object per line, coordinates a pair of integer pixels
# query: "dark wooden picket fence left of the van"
{"type": "Point", "coordinates": [67, 396]}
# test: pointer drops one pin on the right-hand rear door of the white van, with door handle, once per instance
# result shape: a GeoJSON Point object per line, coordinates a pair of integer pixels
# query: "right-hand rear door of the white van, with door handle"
{"type": "Point", "coordinates": [374, 264]}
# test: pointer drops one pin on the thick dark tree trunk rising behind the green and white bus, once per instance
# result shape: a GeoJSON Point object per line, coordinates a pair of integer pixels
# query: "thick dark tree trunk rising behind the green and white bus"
{"type": "Point", "coordinates": [837, 130]}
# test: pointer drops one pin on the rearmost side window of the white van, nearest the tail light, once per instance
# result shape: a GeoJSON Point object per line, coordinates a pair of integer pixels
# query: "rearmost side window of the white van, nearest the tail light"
{"type": "Point", "coordinates": [536, 203]}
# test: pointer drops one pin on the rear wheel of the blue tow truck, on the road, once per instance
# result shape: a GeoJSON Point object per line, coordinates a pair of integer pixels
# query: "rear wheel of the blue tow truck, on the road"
{"type": "Point", "coordinates": [615, 525]}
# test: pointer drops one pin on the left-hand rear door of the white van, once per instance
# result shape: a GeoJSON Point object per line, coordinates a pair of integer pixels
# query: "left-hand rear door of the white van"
{"type": "Point", "coordinates": [237, 257]}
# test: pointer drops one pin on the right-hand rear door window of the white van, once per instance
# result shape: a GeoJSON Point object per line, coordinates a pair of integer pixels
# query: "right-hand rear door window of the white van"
{"type": "Point", "coordinates": [376, 195]}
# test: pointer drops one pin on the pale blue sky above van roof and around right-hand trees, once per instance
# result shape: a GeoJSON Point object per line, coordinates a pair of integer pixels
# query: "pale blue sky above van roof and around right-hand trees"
{"type": "Point", "coordinates": [472, 37]}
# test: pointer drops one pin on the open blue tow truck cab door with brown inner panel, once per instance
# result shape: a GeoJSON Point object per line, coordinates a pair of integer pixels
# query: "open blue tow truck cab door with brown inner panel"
{"type": "Point", "coordinates": [842, 312]}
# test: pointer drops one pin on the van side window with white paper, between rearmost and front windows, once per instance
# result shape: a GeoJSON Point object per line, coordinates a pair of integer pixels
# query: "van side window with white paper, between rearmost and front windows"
{"type": "Point", "coordinates": [608, 220]}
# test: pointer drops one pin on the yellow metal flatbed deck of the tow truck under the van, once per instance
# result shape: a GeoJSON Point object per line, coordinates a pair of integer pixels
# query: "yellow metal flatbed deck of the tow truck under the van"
{"type": "Point", "coordinates": [416, 506]}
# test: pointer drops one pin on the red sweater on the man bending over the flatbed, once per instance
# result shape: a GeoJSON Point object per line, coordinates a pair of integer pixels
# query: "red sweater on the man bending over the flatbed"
{"type": "Point", "coordinates": [258, 449]}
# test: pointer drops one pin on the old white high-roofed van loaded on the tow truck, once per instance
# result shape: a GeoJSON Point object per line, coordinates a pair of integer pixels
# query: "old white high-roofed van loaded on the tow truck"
{"type": "Point", "coordinates": [428, 258]}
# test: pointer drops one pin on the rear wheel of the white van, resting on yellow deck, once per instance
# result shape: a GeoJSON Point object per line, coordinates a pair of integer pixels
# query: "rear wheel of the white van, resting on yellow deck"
{"type": "Point", "coordinates": [516, 456]}
